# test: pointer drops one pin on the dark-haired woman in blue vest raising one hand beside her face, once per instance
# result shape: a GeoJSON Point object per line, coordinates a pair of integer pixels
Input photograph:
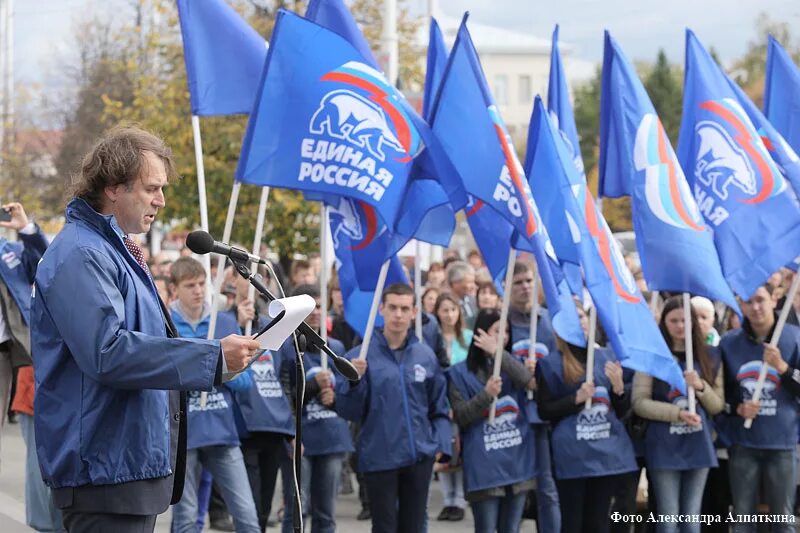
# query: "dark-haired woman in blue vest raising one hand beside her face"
{"type": "Point", "coordinates": [498, 466]}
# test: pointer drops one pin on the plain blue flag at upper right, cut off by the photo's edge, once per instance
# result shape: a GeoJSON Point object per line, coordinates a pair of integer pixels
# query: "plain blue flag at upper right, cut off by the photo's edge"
{"type": "Point", "coordinates": [782, 93]}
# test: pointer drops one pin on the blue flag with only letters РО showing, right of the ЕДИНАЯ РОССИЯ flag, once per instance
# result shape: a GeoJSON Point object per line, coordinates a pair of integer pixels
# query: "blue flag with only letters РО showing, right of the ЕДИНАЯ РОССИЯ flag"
{"type": "Point", "coordinates": [484, 158]}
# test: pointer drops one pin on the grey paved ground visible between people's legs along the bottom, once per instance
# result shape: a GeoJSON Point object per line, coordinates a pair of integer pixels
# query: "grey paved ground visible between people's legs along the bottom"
{"type": "Point", "coordinates": [12, 498]}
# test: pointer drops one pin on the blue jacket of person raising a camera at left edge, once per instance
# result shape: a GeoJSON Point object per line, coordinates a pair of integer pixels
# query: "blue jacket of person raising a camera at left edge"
{"type": "Point", "coordinates": [18, 267]}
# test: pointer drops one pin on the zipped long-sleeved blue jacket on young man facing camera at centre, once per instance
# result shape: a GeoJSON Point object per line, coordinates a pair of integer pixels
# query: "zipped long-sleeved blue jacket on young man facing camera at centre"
{"type": "Point", "coordinates": [401, 404]}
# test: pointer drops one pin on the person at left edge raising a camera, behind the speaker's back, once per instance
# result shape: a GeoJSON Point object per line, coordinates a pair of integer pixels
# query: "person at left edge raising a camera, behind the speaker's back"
{"type": "Point", "coordinates": [17, 269]}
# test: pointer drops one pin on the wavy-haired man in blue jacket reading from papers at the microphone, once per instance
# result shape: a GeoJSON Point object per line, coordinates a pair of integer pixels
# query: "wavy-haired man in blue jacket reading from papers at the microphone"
{"type": "Point", "coordinates": [111, 439]}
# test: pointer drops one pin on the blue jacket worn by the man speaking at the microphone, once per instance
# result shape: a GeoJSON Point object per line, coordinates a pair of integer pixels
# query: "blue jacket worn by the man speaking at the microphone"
{"type": "Point", "coordinates": [102, 360]}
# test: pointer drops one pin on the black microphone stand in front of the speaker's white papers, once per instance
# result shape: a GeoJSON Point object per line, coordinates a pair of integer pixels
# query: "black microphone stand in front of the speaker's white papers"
{"type": "Point", "coordinates": [304, 337]}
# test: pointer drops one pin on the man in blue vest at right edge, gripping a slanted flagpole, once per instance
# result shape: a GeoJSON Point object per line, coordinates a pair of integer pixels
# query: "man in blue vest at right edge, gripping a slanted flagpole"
{"type": "Point", "coordinates": [764, 455]}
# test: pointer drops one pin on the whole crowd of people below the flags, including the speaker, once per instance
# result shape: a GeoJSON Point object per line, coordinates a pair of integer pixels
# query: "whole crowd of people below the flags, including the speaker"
{"type": "Point", "coordinates": [111, 330]}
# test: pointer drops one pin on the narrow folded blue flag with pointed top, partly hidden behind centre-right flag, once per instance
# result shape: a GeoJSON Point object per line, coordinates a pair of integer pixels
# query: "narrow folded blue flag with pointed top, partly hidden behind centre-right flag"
{"type": "Point", "coordinates": [561, 114]}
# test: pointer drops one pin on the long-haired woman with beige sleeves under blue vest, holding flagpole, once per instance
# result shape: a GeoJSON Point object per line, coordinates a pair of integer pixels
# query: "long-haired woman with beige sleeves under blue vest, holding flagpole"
{"type": "Point", "coordinates": [679, 448]}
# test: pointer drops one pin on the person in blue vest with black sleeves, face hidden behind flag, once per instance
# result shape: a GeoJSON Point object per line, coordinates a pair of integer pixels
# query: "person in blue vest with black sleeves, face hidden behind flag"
{"type": "Point", "coordinates": [591, 449]}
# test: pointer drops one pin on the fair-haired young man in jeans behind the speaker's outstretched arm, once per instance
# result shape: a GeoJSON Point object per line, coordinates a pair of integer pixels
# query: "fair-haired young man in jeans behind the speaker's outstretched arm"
{"type": "Point", "coordinates": [213, 440]}
